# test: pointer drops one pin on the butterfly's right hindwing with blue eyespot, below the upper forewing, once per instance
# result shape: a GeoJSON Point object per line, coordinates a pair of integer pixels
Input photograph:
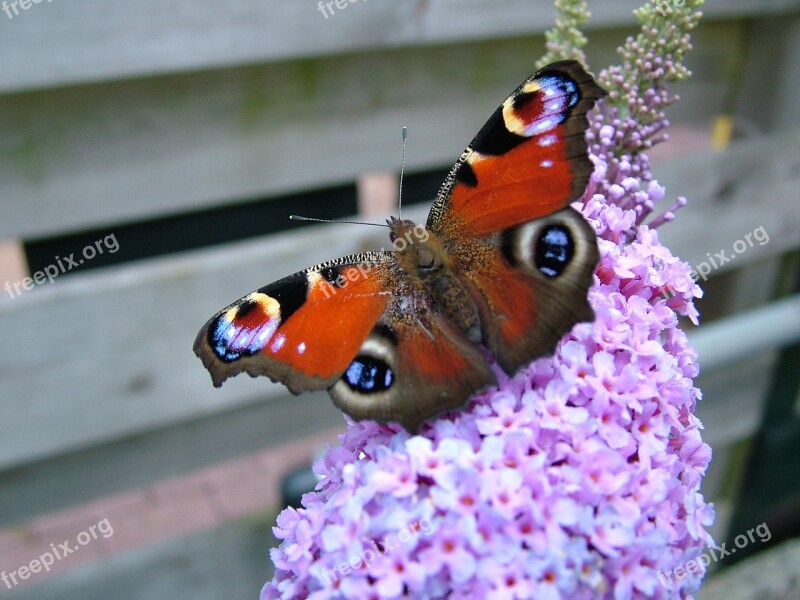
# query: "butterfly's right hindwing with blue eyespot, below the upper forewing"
{"type": "Point", "coordinates": [531, 285]}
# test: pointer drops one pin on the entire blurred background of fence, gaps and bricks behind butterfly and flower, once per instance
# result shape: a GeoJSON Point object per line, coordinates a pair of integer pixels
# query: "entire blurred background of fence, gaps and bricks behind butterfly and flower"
{"type": "Point", "coordinates": [150, 154]}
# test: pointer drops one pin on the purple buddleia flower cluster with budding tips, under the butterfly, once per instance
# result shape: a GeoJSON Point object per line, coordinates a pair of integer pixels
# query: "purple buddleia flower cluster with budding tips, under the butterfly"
{"type": "Point", "coordinates": [578, 477]}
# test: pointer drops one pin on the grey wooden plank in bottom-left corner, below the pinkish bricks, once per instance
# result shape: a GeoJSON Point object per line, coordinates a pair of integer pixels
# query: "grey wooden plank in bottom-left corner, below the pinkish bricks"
{"type": "Point", "coordinates": [229, 562]}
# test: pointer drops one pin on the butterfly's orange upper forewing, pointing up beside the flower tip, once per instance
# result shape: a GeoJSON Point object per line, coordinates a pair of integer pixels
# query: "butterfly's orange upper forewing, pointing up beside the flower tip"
{"type": "Point", "coordinates": [529, 160]}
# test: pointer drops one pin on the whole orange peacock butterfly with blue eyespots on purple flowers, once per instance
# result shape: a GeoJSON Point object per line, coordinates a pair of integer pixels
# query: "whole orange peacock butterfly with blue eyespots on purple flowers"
{"type": "Point", "coordinates": [503, 263]}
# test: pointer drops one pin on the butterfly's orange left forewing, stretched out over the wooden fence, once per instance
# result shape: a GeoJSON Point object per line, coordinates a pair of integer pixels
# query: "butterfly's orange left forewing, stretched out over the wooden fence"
{"type": "Point", "coordinates": [302, 330]}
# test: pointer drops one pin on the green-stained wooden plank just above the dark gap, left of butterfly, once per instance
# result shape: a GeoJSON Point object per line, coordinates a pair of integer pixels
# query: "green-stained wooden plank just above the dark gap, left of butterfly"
{"type": "Point", "coordinates": [87, 157]}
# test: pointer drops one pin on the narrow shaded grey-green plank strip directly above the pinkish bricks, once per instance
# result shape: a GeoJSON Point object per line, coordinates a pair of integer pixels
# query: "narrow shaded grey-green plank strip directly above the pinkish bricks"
{"type": "Point", "coordinates": [141, 459]}
